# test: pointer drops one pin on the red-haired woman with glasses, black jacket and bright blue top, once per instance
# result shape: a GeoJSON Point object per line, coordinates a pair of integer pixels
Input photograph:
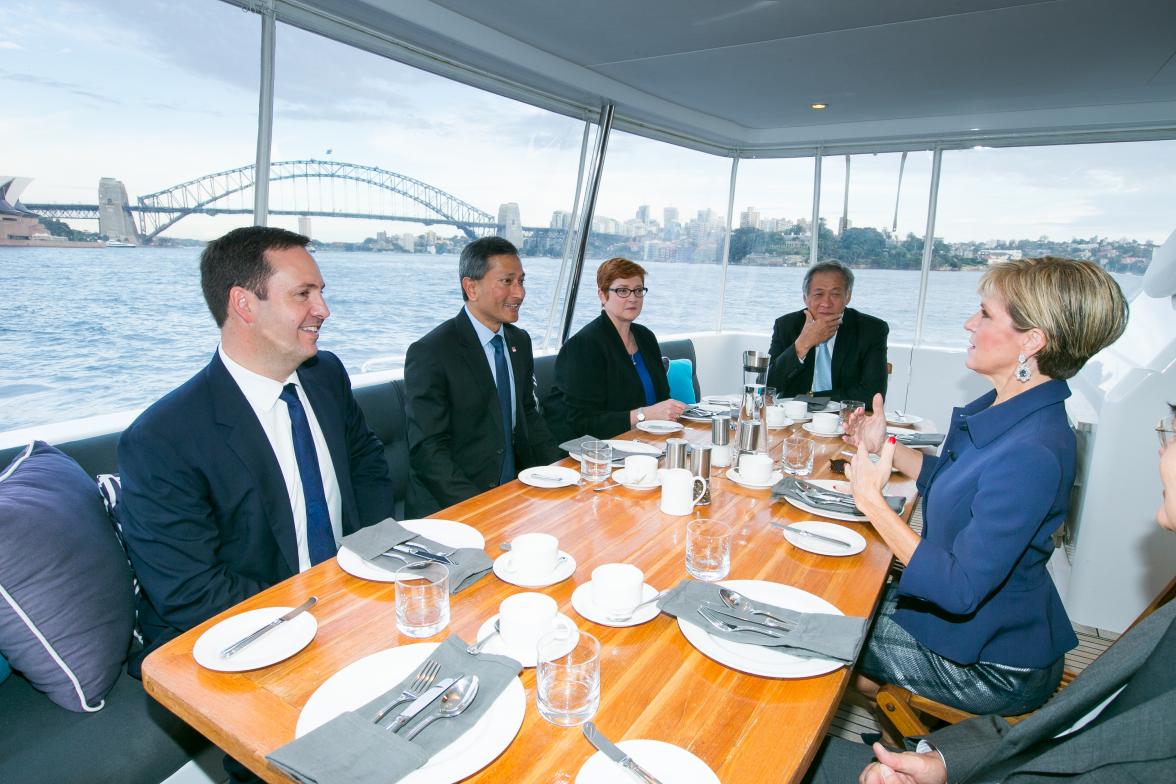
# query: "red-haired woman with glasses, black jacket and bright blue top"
{"type": "Point", "coordinates": [610, 376]}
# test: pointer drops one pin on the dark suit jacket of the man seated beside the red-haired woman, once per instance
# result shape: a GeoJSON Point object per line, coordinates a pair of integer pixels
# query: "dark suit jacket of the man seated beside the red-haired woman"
{"type": "Point", "coordinates": [455, 421]}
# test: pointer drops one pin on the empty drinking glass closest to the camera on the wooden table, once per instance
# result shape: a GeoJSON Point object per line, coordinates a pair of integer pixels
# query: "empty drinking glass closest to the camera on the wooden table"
{"type": "Point", "coordinates": [567, 676]}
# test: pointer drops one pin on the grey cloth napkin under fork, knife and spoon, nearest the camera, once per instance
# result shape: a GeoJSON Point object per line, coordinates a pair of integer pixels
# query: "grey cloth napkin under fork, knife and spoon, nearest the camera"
{"type": "Point", "coordinates": [352, 749]}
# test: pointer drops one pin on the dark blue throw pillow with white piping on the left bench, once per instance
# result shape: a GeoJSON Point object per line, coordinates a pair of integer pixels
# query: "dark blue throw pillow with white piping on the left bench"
{"type": "Point", "coordinates": [66, 600]}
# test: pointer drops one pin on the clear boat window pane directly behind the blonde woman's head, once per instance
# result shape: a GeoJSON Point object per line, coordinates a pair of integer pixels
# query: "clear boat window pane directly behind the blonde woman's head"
{"type": "Point", "coordinates": [1110, 203]}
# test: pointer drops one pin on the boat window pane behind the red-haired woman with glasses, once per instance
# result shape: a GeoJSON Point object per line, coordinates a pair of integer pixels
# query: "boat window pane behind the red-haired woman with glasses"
{"type": "Point", "coordinates": [664, 207]}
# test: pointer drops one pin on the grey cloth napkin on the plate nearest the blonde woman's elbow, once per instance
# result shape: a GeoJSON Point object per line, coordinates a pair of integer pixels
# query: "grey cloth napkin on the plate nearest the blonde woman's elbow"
{"type": "Point", "coordinates": [814, 635]}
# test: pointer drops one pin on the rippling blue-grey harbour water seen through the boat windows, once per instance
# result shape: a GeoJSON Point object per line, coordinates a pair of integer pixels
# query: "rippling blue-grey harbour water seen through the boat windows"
{"type": "Point", "coordinates": [93, 331]}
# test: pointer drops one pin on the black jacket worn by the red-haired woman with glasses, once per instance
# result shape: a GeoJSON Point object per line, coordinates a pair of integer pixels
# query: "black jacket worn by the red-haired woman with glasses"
{"type": "Point", "coordinates": [597, 385]}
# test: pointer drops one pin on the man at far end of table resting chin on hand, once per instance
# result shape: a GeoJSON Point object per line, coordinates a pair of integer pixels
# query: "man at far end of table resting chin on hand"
{"type": "Point", "coordinates": [828, 349]}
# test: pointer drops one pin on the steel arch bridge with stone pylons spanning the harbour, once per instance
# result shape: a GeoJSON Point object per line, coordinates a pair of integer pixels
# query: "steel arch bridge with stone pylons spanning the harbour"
{"type": "Point", "coordinates": [377, 195]}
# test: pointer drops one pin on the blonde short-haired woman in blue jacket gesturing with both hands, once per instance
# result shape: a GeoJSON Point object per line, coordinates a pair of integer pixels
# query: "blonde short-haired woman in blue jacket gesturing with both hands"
{"type": "Point", "coordinates": [975, 621]}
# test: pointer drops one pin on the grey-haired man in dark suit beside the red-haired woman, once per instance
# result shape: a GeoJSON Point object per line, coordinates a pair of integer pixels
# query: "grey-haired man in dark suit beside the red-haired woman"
{"type": "Point", "coordinates": [473, 421]}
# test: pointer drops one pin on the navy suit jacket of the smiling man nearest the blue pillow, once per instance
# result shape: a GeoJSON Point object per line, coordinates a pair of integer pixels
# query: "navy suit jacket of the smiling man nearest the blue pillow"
{"type": "Point", "coordinates": [204, 508]}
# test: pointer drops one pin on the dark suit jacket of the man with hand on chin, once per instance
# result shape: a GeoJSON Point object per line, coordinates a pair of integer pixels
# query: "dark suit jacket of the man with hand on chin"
{"type": "Point", "coordinates": [859, 358]}
